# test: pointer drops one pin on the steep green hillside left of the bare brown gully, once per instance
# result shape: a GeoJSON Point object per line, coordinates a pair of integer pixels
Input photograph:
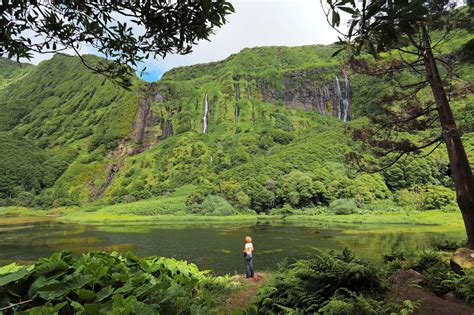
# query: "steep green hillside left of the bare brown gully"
{"type": "Point", "coordinates": [59, 121]}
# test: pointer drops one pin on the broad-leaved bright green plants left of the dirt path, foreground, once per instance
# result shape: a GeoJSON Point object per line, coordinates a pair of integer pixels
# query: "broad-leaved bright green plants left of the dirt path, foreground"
{"type": "Point", "coordinates": [108, 283]}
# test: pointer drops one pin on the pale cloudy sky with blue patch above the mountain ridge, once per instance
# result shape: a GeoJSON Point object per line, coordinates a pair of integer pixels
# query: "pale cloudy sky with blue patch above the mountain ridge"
{"type": "Point", "coordinates": [254, 23]}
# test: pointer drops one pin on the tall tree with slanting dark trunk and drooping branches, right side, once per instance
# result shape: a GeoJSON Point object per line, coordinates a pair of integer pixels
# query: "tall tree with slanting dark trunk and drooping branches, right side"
{"type": "Point", "coordinates": [406, 28]}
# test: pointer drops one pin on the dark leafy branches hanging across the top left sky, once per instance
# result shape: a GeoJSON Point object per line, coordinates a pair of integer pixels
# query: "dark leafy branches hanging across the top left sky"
{"type": "Point", "coordinates": [126, 31]}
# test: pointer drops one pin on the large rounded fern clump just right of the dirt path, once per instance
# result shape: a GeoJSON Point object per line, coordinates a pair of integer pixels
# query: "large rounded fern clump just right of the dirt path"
{"type": "Point", "coordinates": [329, 283]}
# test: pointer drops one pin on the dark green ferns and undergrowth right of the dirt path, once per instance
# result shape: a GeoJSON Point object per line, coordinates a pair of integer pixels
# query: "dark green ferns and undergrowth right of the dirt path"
{"type": "Point", "coordinates": [339, 283]}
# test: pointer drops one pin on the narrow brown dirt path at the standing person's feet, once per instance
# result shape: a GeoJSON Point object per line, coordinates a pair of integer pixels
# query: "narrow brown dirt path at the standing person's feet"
{"type": "Point", "coordinates": [242, 298]}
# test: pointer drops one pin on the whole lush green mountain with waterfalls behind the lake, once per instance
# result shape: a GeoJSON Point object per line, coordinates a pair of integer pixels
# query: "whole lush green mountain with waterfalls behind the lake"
{"type": "Point", "coordinates": [261, 129]}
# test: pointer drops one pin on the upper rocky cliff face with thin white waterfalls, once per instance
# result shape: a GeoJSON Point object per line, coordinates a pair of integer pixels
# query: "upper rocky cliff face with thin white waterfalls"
{"type": "Point", "coordinates": [229, 94]}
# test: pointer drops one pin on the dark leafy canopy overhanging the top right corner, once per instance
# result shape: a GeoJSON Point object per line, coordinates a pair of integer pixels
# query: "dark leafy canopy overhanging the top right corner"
{"type": "Point", "coordinates": [378, 26]}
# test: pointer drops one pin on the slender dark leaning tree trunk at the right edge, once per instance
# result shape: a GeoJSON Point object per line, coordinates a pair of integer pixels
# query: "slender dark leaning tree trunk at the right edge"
{"type": "Point", "coordinates": [460, 168]}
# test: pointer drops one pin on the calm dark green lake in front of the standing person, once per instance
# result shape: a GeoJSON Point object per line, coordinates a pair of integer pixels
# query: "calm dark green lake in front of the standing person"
{"type": "Point", "coordinates": [217, 246]}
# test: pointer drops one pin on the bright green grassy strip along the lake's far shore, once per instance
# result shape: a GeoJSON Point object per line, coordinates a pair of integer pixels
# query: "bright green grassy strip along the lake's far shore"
{"type": "Point", "coordinates": [15, 215]}
